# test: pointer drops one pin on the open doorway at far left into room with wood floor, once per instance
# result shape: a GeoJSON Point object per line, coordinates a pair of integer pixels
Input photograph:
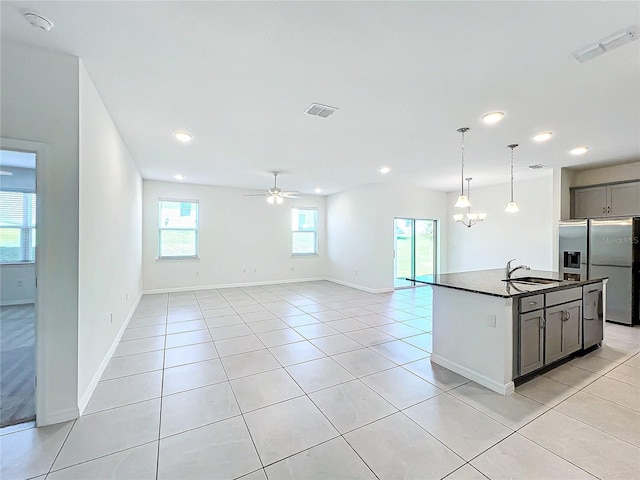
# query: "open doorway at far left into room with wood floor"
{"type": "Point", "coordinates": [17, 287]}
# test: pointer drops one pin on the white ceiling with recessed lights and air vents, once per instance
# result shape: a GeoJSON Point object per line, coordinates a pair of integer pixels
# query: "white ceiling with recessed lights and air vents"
{"type": "Point", "coordinates": [404, 75]}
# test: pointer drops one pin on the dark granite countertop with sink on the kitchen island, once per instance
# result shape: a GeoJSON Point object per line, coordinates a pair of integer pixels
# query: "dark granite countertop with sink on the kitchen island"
{"type": "Point", "coordinates": [490, 282]}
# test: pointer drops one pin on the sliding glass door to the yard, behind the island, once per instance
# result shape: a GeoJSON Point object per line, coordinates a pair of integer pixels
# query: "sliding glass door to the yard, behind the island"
{"type": "Point", "coordinates": [415, 248]}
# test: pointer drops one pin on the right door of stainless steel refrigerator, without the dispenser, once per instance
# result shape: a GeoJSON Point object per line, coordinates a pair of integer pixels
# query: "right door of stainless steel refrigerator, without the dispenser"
{"type": "Point", "coordinates": [614, 252]}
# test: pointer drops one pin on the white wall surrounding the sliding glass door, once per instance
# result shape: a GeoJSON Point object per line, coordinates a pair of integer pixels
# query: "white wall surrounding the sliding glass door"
{"type": "Point", "coordinates": [360, 226]}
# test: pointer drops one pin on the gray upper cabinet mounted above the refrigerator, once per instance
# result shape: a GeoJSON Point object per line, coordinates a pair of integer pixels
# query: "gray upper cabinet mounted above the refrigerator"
{"type": "Point", "coordinates": [606, 200]}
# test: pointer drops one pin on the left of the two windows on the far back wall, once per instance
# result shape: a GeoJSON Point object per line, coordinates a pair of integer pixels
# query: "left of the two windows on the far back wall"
{"type": "Point", "coordinates": [178, 229]}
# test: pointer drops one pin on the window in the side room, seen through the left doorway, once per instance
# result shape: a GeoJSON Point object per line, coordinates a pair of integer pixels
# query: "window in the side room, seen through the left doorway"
{"type": "Point", "coordinates": [17, 227]}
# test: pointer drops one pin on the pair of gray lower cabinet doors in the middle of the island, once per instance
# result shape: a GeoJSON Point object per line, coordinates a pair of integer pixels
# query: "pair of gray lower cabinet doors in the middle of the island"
{"type": "Point", "coordinates": [562, 331]}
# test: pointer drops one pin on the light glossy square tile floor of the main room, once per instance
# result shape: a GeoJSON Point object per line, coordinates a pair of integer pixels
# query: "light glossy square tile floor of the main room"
{"type": "Point", "coordinates": [316, 380]}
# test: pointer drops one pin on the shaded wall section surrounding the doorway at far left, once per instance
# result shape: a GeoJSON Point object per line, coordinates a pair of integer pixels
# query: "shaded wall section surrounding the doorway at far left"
{"type": "Point", "coordinates": [39, 98]}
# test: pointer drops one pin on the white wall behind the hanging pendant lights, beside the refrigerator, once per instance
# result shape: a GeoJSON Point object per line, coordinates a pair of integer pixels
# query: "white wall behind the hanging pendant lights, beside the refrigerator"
{"type": "Point", "coordinates": [527, 236]}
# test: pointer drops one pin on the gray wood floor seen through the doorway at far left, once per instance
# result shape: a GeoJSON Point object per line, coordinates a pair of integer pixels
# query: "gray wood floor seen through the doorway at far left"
{"type": "Point", "coordinates": [17, 364]}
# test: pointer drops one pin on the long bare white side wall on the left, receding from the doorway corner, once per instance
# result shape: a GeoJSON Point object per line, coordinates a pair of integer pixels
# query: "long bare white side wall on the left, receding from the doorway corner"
{"type": "Point", "coordinates": [110, 249]}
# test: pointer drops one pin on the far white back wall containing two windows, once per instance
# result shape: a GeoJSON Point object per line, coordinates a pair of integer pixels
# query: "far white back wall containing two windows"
{"type": "Point", "coordinates": [242, 240]}
